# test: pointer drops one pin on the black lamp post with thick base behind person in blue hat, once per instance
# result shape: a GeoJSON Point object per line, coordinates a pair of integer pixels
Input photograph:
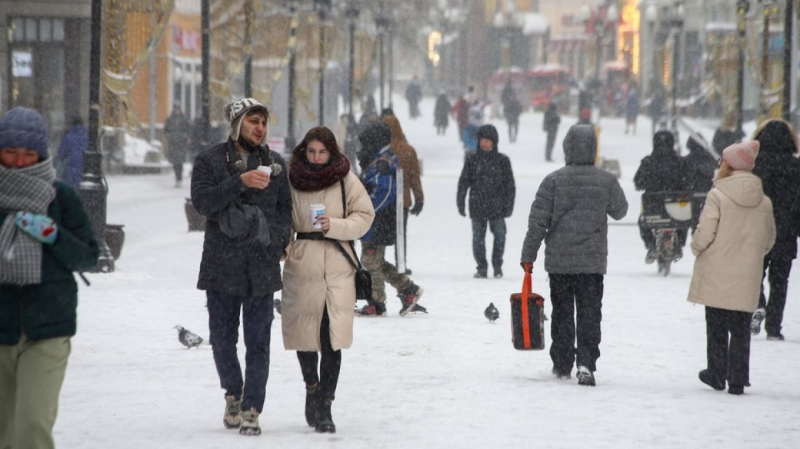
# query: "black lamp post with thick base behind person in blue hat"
{"type": "Point", "coordinates": [92, 189]}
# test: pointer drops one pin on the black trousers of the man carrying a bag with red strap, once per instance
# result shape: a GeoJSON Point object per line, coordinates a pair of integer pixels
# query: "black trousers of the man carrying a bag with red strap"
{"type": "Point", "coordinates": [581, 296]}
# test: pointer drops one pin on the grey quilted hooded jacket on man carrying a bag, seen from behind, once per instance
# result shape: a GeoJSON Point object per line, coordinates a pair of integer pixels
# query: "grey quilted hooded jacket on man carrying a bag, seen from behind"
{"type": "Point", "coordinates": [571, 208]}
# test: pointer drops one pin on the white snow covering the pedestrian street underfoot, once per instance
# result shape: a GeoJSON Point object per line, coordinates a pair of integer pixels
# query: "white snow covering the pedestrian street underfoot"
{"type": "Point", "coordinates": [444, 380]}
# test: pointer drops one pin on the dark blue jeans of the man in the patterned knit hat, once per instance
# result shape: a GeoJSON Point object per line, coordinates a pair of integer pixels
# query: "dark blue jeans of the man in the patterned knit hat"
{"type": "Point", "coordinates": [223, 325]}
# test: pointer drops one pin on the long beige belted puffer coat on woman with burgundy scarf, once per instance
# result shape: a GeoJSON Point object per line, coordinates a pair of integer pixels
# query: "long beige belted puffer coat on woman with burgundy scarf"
{"type": "Point", "coordinates": [317, 274]}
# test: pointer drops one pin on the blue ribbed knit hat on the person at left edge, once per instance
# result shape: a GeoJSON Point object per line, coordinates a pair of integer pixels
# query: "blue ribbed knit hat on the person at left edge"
{"type": "Point", "coordinates": [24, 128]}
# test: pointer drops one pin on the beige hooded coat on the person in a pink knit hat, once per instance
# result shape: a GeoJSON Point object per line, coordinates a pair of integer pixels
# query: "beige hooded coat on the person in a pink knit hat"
{"type": "Point", "coordinates": [736, 231]}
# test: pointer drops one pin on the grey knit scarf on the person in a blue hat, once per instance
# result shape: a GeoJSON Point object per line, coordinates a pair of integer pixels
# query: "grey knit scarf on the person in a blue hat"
{"type": "Point", "coordinates": [23, 189]}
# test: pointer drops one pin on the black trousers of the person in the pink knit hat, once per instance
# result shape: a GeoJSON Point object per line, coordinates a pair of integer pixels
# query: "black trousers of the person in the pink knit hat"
{"type": "Point", "coordinates": [728, 359]}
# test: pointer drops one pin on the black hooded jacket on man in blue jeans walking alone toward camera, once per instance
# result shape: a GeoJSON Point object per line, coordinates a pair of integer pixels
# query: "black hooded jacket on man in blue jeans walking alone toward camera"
{"type": "Point", "coordinates": [488, 177]}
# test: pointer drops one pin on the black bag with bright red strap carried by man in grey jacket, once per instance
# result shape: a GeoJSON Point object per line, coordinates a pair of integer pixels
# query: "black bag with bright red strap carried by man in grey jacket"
{"type": "Point", "coordinates": [527, 318]}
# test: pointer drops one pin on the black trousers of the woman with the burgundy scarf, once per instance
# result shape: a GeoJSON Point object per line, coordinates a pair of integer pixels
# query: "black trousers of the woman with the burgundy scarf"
{"type": "Point", "coordinates": [328, 377]}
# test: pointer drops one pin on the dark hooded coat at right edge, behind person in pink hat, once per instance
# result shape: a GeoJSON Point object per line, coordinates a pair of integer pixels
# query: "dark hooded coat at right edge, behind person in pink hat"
{"type": "Point", "coordinates": [779, 171]}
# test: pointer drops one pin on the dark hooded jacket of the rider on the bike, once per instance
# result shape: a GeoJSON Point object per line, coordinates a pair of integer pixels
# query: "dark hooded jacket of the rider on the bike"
{"type": "Point", "coordinates": [662, 170]}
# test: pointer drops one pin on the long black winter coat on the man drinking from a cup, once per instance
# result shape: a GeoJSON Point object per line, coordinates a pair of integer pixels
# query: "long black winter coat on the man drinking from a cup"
{"type": "Point", "coordinates": [240, 266]}
